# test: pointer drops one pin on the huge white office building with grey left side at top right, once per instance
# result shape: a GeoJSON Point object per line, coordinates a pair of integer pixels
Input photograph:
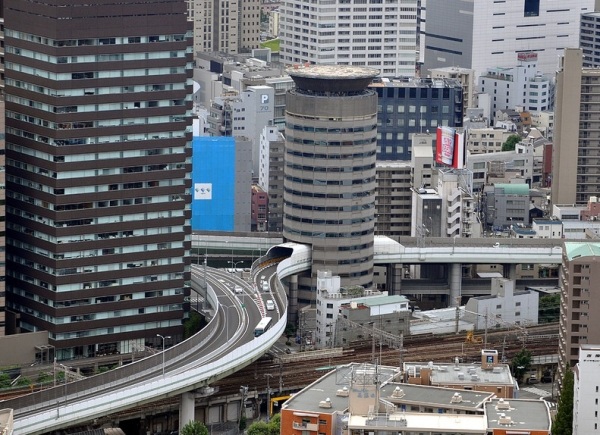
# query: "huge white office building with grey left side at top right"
{"type": "Point", "coordinates": [487, 33]}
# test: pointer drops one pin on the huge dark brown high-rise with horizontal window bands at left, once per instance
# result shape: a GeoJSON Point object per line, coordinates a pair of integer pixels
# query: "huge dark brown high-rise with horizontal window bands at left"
{"type": "Point", "coordinates": [98, 172]}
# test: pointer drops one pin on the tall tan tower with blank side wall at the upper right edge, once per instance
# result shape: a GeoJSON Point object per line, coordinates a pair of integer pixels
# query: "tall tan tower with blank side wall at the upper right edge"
{"type": "Point", "coordinates": [575, 159]}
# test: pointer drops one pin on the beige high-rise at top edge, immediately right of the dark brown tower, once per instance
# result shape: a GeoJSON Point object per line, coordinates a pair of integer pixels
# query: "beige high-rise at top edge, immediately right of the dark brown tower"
{"type": "Point", "coordinates": [229, 26]}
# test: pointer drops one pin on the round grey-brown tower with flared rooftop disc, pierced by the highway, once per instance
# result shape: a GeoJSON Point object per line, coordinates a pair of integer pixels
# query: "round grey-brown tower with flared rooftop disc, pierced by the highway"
{"type": "Point", "coordinates": [329, 186]}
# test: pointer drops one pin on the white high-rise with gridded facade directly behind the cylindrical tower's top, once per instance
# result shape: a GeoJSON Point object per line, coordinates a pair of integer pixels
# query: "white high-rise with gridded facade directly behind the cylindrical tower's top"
{"type": "Point", "coordinates": [382, 35]}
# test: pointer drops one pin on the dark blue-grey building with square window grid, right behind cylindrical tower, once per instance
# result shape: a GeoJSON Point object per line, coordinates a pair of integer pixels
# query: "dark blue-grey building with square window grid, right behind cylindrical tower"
{"type": "Point", "coordinates": [408, 106]}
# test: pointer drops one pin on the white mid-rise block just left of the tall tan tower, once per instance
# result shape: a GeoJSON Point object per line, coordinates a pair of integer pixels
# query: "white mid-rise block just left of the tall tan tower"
{"type": "Point", "coordinates": [520, 86]}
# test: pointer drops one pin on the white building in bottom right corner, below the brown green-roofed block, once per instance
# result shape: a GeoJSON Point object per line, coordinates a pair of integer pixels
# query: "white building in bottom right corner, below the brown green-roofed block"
{"type": "Point", "coordinates": [586, 390]}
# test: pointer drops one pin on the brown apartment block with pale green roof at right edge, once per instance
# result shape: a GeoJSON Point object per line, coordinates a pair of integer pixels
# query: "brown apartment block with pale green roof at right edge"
{"type": "Point", "coordinates": [578, 302]}
